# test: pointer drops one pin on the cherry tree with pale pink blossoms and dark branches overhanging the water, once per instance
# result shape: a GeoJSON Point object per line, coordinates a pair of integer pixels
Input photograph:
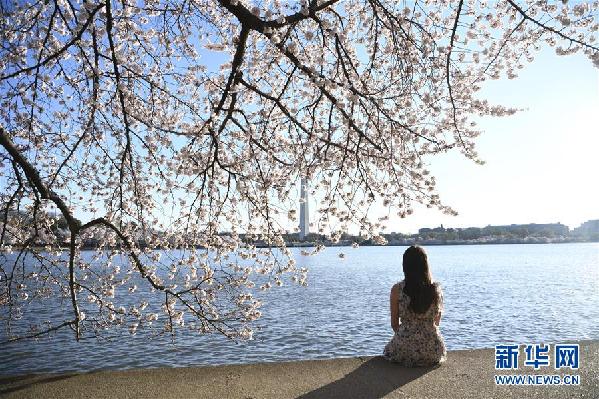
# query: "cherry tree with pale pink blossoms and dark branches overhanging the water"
{"type": "Point", "coordinates": [171, 134]}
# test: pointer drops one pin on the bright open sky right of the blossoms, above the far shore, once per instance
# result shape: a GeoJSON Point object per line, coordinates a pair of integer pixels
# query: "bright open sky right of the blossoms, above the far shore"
{"type": "Point", "coordinates": [542, 163]}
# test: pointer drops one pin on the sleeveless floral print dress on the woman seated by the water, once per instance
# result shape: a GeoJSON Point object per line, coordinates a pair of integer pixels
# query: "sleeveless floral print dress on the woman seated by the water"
{"type": "Point", "coordinates": [418, 341]}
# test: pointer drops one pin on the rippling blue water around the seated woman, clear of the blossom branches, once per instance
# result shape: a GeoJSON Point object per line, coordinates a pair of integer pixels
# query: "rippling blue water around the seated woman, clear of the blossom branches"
{"type": "Point", "coordinates": [493, 294]}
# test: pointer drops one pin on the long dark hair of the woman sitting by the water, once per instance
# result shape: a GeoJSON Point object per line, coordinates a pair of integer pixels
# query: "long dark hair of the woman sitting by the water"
{"type": "Point", "coordinates": [418, 281]}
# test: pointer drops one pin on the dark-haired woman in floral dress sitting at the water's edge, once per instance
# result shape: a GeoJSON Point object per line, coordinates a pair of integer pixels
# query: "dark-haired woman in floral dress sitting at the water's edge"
{"type": "Point", "coordinates": [418, 302]}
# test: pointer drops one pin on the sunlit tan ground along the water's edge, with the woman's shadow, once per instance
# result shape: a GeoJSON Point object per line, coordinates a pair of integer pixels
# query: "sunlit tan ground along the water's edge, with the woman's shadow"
{"type": "Point", "coordinates": [466, 374]}
